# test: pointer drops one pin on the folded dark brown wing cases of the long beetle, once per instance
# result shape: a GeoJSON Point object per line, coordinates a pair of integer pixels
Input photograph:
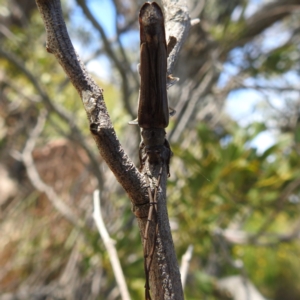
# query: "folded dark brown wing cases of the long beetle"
{"type": "Point", "coordinates": [153, 110]}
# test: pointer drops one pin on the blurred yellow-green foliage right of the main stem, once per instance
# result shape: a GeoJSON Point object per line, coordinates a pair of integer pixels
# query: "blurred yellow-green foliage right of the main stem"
{"type": "Point", "coordinates": [226, 183]}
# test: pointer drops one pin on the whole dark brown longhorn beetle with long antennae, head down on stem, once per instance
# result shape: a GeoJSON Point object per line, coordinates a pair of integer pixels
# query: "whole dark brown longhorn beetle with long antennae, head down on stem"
{"type": "Point", "coordinates": [153, 113]}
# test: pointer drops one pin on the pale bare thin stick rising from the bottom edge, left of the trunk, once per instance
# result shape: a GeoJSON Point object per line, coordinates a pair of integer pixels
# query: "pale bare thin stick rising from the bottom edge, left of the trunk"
{"type": "Point", "coordinates": [110, 247]}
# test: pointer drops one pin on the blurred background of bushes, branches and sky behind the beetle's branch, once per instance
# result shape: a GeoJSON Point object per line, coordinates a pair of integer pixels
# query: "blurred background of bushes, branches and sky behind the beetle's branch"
{"type": "Point", "coordinates": [234, 188]}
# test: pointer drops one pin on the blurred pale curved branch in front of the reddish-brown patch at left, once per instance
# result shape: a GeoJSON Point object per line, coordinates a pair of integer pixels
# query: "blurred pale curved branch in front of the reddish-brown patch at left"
{"type": "Point", "coordinates": [35, 178]}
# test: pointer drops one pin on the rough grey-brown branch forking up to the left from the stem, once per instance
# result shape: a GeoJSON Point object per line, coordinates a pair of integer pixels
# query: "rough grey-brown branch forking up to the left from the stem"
{"type": "Point", "coordinates": [59, 44]}
